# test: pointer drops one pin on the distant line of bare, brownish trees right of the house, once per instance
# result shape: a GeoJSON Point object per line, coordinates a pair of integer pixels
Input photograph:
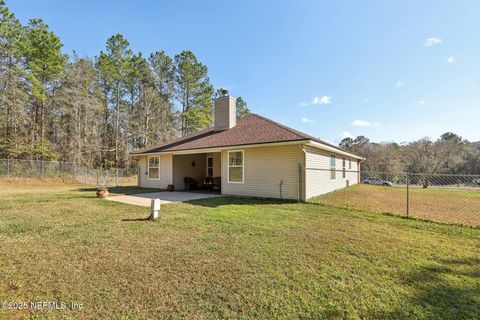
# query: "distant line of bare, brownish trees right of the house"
{"type": "Point", "coordinates": [449, 154]}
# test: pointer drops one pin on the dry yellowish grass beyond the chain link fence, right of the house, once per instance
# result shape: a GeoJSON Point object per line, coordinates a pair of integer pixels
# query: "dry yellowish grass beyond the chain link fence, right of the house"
{"type": "Point", "coordinates": [442, 205]}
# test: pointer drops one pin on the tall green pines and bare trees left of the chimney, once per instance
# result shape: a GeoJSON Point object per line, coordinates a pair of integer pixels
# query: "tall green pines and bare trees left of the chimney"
{"type": "Point", "coordinates": [94, 111]}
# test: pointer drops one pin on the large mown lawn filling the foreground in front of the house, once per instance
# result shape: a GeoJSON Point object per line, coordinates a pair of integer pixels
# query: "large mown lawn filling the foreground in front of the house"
{"type": "Point", "coordinates": [229, 258]}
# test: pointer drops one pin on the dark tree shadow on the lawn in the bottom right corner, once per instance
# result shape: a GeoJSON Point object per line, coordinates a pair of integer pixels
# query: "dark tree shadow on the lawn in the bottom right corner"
{"type": "Point", "coordinates": [447, 290]}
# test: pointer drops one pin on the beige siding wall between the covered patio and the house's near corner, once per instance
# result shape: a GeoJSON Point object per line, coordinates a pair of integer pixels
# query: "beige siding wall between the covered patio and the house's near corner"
{"type": "Point", "coordinates": [264, 167]}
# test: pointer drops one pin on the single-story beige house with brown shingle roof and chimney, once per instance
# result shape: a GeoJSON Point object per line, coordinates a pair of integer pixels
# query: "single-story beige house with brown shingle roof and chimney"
{"type": "Point", "coordinates": [250, 156]}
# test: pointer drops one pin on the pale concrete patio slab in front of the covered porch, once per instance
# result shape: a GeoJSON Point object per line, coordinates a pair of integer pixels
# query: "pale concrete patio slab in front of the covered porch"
{"type": "Point", "coordinates": [144, 199]}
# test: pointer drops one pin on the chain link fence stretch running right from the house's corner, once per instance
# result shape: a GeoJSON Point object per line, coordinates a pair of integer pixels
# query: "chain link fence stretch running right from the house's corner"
{"type": "Point", "coordinates": [451, 198]}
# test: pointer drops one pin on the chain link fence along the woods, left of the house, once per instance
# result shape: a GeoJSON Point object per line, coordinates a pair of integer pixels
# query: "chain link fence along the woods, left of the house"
{"type": "Point", "coordinates": [67, 172]}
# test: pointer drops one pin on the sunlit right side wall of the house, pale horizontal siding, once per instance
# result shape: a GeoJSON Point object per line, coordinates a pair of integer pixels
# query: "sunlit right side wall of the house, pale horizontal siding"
{"type": "Point", "coordinates": [317, 172]}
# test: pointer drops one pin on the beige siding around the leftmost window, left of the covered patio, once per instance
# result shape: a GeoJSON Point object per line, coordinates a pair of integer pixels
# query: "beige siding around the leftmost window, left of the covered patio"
{"type": "Point", "coordinates": [165, 172]}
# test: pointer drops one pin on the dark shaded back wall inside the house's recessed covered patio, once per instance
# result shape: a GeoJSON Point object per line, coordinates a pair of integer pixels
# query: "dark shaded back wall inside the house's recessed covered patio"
{"type": "Point", "coordinates": [182, 167]}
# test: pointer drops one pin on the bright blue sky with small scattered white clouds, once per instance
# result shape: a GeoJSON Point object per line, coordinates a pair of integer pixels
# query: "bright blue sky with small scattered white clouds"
{"type": "Point", "coordinates": [389, 70]}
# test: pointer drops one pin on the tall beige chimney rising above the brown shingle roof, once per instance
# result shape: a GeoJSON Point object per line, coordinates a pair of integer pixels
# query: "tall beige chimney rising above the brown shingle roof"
{"type": "Point", "coordinates": [225, 116]}
